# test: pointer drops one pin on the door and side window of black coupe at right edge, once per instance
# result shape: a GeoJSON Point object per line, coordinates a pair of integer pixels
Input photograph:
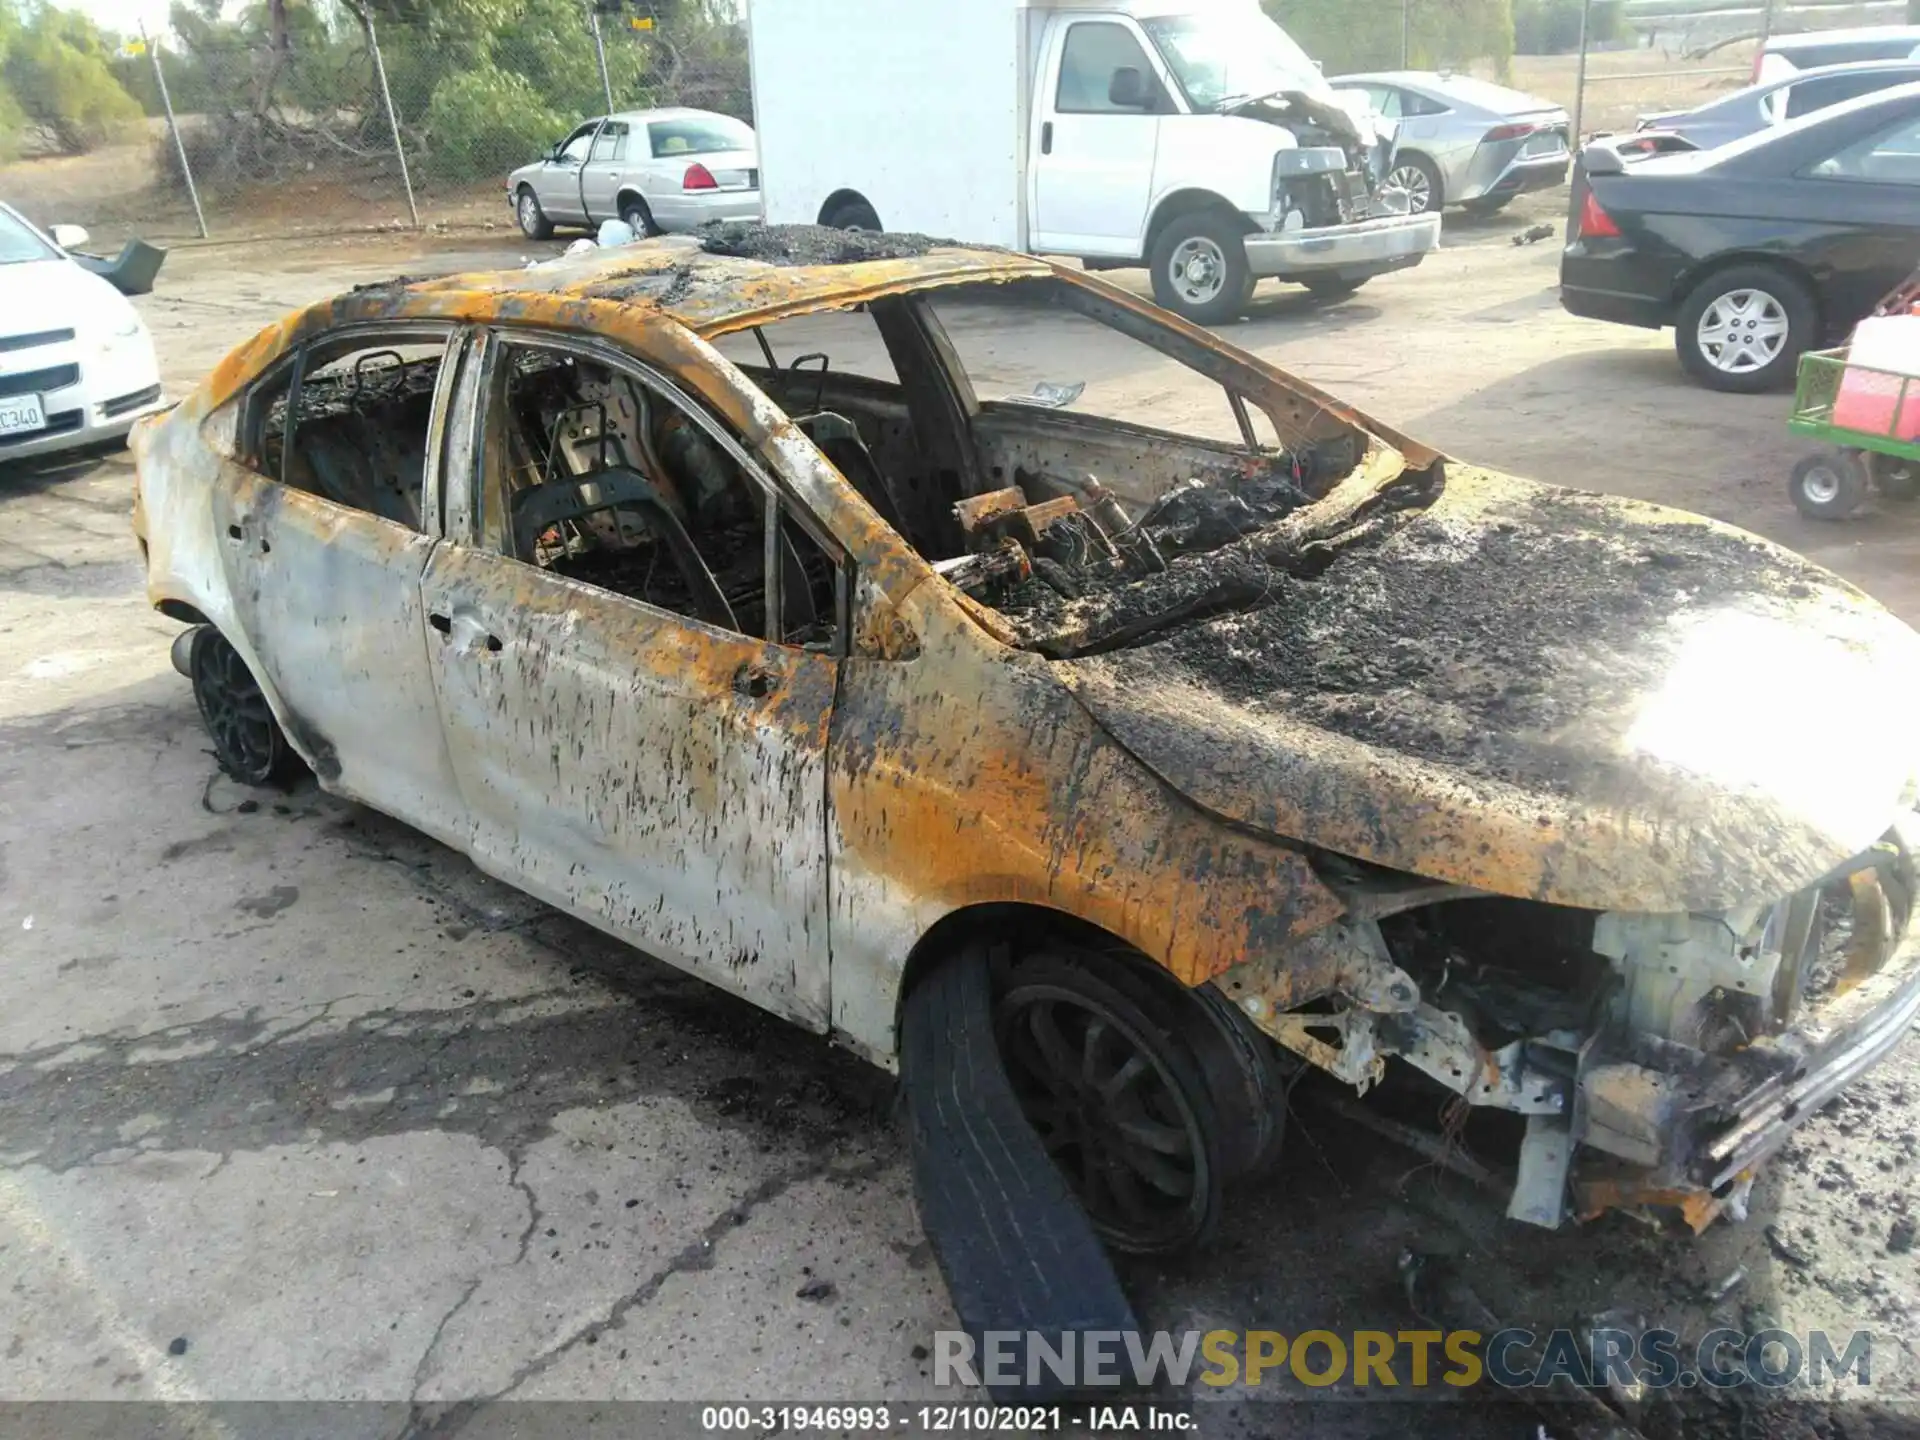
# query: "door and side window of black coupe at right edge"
{"type": "Point", "coordinates": [1873, 183]}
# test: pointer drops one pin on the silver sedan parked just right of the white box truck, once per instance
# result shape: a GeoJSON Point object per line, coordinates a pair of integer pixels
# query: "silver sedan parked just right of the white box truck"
{"type": "Point", "coordinates": [1464, 141]}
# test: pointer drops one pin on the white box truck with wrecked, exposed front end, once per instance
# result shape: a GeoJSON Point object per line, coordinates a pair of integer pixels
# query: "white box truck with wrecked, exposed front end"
{"type": "Point", "coordinates": [1188, 135]}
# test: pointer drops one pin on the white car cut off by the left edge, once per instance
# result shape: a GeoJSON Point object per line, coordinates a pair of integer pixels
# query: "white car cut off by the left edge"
{"type": "Point", "coordinates": [76, 360]}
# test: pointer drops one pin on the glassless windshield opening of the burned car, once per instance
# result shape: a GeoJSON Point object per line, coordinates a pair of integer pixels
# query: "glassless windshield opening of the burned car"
{"type": "Point", "coordinates": [946, 414]}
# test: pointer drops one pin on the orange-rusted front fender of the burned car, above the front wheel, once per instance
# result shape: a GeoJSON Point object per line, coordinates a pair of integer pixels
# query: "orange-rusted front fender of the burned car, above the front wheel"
{"type": "Point", "coordinates": [971, 777]}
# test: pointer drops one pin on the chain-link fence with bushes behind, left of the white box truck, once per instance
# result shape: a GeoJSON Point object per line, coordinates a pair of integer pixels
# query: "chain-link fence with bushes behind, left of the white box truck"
{"type": "Point", "coordinates": [372, 126]}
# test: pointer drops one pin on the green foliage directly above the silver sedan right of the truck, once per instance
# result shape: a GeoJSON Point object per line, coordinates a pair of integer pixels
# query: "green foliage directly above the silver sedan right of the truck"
{"type": "Point", "coordinates": [1372, 36]}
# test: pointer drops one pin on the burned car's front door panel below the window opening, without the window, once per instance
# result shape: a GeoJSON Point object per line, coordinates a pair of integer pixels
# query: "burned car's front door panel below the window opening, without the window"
{"type": "Point", "coordinates": [650, 775]}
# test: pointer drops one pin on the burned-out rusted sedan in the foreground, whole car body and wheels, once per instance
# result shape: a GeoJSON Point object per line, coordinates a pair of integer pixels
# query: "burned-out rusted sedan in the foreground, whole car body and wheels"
{"type": "Point", "coordinates": [1205, 752]}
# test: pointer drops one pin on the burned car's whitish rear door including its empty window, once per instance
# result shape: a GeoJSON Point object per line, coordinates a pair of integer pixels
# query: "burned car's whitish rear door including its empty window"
{"type": "Point", "coordinates": [325, 519]}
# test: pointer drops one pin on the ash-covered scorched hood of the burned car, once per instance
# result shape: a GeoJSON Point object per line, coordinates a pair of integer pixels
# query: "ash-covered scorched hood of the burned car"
{"type": "Point", "coordinates": [1543, 694]}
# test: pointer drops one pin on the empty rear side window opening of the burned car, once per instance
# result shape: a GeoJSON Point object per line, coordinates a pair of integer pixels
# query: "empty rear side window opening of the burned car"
{"type": "Point", "coordinates": [360, 425]}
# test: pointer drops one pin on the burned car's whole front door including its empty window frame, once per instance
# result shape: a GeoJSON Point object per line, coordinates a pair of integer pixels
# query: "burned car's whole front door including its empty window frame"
{"type": "Point", "coordinates": [635, 644]}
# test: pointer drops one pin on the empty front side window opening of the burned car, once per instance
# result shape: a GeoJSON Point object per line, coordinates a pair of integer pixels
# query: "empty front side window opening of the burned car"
{"type": "Point", "coordinates": [594, 475]}
